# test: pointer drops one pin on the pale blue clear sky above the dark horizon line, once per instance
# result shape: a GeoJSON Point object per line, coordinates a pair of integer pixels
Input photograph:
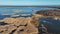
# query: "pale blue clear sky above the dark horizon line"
{"type": "Point", "coordinates": [29, 2]}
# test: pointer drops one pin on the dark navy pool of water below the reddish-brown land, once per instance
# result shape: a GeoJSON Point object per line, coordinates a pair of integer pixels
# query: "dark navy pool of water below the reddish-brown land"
{"type": "Point", "coordinates": [51, 24]}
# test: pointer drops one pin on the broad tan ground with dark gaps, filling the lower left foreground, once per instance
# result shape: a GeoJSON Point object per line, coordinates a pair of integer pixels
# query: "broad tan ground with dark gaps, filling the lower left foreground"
{"type": "Point", "coordinates": [20, 26]}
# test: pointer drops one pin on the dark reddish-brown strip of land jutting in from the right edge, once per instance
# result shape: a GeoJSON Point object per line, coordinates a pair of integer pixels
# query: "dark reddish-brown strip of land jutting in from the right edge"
{"type": "Point", "coordinates": [49, 12]}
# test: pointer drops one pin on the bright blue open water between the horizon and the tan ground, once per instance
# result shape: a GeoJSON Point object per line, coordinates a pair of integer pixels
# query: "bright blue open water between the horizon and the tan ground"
{"type": "Point", "coordinates": [16, 10]}
